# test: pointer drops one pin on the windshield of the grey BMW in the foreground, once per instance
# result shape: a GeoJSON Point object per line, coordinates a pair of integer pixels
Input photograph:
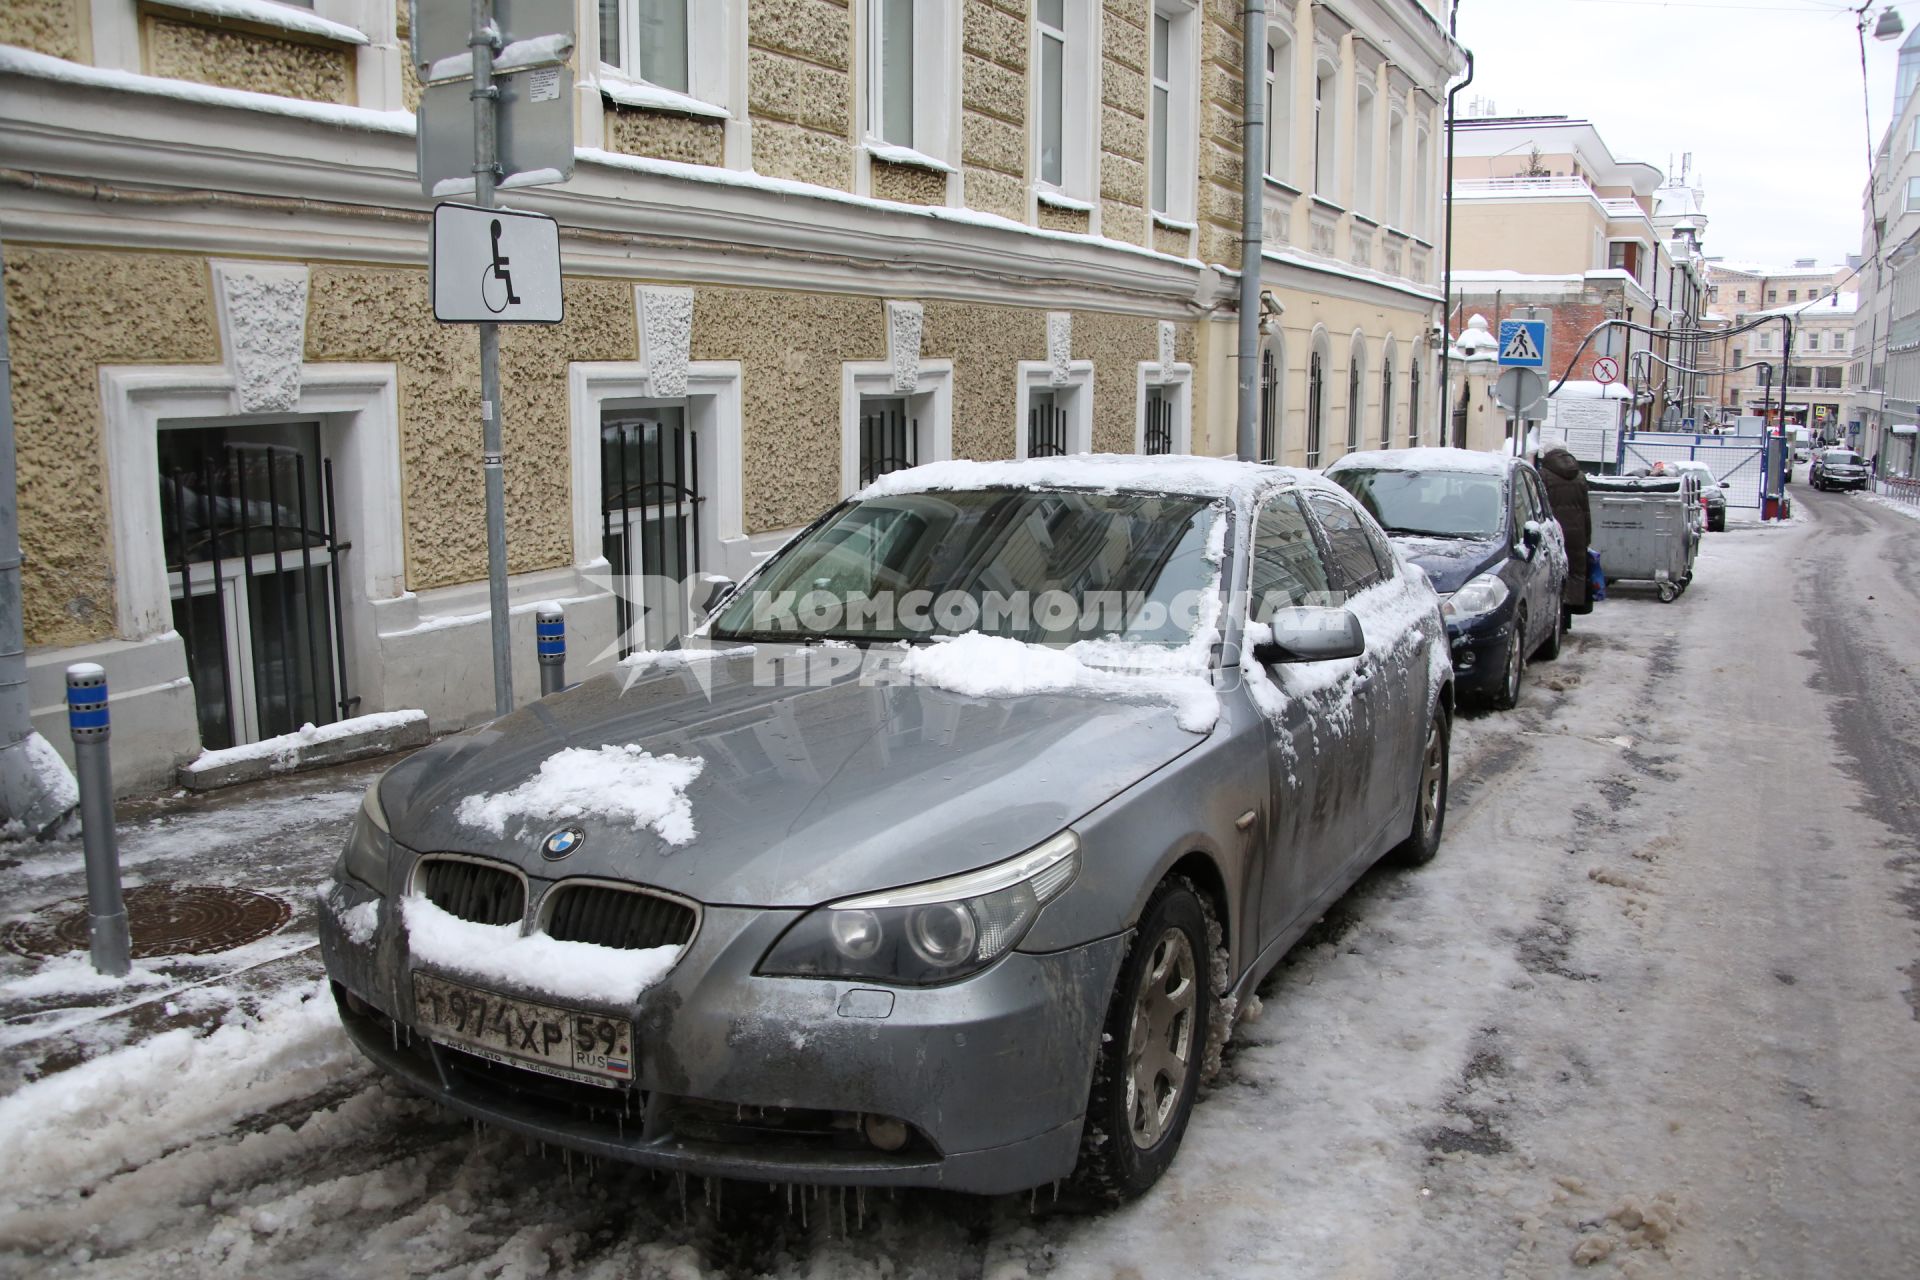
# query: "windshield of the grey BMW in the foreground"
{"type": "Point", "coordinates": [1044, 567]}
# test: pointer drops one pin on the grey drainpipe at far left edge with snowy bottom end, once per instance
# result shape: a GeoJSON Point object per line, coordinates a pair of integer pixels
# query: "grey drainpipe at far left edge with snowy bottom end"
{"type": "Point", "coordinates": [36, 786]}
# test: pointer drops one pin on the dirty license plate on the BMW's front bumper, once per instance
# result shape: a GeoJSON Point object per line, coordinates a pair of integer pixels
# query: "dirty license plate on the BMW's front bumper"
{"type": "Point", "coordinates": [519, 1033]}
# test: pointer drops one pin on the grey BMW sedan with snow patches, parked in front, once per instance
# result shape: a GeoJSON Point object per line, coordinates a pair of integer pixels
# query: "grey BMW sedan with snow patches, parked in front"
{"type": "Point", "coordinates": [830, 897]}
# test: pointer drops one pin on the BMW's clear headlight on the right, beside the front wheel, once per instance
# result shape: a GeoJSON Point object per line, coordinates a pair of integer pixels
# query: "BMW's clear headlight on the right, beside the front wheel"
{"type": "Point", "coordinates": [928, 934]}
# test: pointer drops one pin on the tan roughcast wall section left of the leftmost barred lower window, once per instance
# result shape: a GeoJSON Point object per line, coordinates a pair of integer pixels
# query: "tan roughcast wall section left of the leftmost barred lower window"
{"type": "Point", "coordinates": [70, 312]}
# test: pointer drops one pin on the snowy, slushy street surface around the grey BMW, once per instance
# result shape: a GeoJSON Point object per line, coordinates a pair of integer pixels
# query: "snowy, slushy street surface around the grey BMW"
{"type": "Point", "coordinates": [1652, 1010]}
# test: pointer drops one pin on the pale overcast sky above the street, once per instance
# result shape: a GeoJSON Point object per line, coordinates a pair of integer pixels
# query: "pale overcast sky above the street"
{"type": "Point", "coordinates": [1765, 95]}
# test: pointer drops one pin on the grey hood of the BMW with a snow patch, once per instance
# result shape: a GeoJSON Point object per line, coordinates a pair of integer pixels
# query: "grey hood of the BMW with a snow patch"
{"type": "Point", "coordinates": [802, 794]}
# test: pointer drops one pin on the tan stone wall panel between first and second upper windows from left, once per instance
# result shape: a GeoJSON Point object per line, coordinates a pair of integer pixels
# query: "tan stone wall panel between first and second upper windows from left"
{"type": "Point", "coordinates": [800, 89]}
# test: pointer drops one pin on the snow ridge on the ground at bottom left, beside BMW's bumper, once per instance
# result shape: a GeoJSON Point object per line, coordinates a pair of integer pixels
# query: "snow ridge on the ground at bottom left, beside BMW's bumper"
{"type": "Point", "coordinates": [128, 1108]}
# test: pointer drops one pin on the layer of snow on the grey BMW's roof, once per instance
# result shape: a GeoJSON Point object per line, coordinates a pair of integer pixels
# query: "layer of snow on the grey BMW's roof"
{"type": "Point", "coordinates": [1107, 473]}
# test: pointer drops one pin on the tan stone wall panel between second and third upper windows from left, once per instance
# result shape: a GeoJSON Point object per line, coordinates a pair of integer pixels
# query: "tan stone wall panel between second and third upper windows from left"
{"type": "Point", "coordinates": [994, 99]}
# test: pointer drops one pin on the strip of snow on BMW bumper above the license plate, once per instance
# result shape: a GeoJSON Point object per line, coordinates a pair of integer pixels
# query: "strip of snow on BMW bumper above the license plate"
{"type": "Point", "coordinates": [531, 962]}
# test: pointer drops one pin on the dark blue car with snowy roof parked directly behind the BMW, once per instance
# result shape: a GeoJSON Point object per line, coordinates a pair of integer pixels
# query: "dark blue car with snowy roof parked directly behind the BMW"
{"type": "Point", "coordinates": [1481, 529]}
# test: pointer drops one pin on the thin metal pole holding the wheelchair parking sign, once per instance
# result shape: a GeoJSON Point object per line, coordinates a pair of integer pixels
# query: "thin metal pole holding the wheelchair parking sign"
{"type": "Point", "coordinates": [492, 458]}
